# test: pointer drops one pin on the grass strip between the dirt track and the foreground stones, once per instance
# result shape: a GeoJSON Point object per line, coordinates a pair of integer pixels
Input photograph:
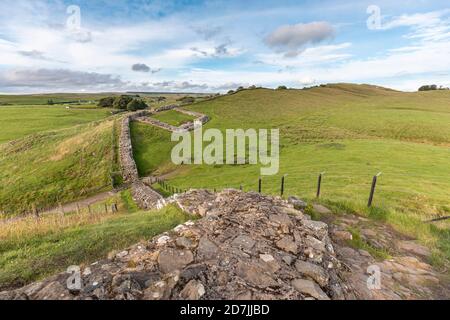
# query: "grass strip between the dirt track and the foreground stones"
{"type": "Point", "coordinates": [75, 241]}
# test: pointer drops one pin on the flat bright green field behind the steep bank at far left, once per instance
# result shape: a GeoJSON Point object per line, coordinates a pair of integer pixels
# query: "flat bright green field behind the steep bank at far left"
{"type": "Point", "coordinates": [19, 121]}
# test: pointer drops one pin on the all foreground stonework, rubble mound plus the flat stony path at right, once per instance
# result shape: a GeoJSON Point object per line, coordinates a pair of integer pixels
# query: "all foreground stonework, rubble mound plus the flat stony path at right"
{"type": "Point", "coordinates": [248, 246]}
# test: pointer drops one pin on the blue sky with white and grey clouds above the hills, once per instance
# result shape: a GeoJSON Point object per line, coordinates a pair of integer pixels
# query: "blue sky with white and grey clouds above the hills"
{"type": "Point", "coordinates": [215, 46]}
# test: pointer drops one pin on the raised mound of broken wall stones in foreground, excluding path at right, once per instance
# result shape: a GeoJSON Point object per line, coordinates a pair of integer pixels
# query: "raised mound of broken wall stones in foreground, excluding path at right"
{"type": "Point", "coordinates": [246, 246]}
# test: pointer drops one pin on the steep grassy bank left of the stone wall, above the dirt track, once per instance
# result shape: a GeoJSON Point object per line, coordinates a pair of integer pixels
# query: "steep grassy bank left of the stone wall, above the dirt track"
{"type": "Point", "coordinates": [53, 166]}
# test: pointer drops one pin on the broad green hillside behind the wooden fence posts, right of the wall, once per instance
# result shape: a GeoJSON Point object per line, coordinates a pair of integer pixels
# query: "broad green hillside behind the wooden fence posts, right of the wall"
{"type": "Point", "coordinates": [351, 132]}
